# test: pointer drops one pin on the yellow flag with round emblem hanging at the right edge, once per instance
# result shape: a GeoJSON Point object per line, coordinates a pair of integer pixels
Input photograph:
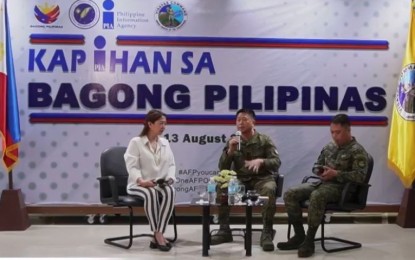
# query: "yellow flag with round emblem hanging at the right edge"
{"type": "Point", "coordinates": [401, 151]}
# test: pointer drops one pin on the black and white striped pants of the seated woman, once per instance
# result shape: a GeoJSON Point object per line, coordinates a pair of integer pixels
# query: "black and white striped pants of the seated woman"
{"type": "Point", "coordinates": [158, 204]}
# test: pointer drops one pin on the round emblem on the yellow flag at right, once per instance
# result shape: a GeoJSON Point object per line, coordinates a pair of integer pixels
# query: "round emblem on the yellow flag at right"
{"type": "Point", "coordinates": [405, 96]}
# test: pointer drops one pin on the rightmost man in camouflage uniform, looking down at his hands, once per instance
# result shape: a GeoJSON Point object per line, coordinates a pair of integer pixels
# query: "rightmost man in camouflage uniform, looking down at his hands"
{"type": "Point", "coordinates": [340, 161]}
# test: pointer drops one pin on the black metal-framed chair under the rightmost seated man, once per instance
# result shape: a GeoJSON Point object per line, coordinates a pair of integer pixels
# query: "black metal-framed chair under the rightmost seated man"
{"type": "Point", "coordinates": [354, 197]}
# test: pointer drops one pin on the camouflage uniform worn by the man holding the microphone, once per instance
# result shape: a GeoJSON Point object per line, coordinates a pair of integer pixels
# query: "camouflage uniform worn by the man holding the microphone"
{"type": "Point", "coordinates": [258, 146]}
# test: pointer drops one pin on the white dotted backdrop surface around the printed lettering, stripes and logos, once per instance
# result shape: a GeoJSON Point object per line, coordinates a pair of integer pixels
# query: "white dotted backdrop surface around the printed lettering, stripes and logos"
{"type": "Point", "coordinates": [59, 163]}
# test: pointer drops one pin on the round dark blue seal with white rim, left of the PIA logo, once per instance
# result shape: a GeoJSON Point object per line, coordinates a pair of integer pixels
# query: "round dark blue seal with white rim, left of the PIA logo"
{"type": "Point", "coordinates": [84, 14]}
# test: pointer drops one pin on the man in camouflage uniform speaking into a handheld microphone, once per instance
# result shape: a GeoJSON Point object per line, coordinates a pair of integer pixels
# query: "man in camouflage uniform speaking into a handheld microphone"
{"type": "Point", "coordinates": [255, 163]}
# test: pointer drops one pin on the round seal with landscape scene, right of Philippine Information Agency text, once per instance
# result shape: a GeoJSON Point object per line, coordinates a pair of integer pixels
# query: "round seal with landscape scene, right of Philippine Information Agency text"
{"type": "Point", "coordinates": [171, 15]}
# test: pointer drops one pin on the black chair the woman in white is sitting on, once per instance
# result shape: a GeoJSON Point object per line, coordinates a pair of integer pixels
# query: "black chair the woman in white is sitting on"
{"type": "Point", "coordinates": [112, 186]}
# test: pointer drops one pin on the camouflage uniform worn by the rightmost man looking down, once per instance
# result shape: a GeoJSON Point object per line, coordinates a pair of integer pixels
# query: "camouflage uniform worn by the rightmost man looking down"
{"type": "Point", "coordinates": [350, 161]}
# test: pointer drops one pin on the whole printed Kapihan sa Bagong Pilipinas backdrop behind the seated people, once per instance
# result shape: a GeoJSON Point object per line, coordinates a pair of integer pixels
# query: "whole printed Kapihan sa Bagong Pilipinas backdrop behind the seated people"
{"type": "Point", "coordinates": [87, 71]}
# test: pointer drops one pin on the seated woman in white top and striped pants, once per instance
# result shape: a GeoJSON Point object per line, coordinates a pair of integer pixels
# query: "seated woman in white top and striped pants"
{"type": "Point", "coordinates": [149, 160]}
